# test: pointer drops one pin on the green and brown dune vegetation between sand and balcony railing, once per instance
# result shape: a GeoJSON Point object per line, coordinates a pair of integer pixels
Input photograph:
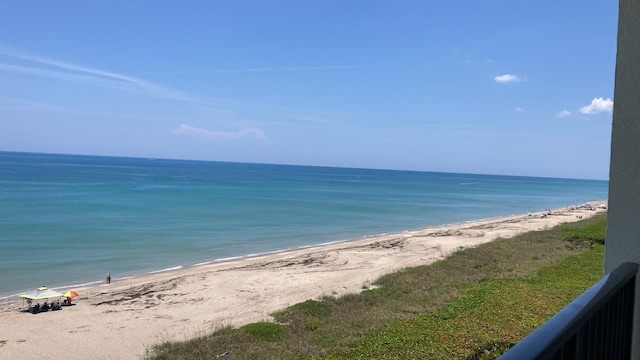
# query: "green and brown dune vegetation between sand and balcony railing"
{"type": "Point", "coordinates": [473, 305]}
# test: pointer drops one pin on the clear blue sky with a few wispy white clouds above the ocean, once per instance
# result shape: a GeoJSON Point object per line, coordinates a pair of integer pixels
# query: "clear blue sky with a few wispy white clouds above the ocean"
{"type": "Point", "coordinates": [494, 87]}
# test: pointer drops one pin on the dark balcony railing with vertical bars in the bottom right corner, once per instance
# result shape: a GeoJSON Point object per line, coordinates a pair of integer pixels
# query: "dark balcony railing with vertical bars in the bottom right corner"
{"type": "Point", "coordinates": [597, 325]}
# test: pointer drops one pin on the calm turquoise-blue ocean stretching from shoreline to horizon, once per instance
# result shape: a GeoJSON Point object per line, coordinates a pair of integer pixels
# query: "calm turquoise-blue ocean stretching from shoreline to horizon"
{"type": "Point", "coordinates": [68, 220]}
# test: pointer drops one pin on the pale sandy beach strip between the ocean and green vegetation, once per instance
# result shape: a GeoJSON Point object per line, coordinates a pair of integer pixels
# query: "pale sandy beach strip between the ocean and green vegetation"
{"type": "Point", "coordinates": [122, 319]}
